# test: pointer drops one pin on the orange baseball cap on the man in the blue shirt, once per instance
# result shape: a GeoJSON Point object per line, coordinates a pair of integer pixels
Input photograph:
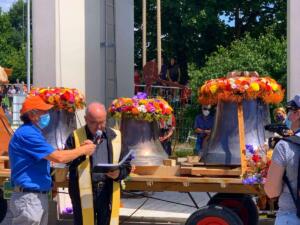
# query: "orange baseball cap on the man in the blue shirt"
{"type": "Point", "coordinates": [34, 102]}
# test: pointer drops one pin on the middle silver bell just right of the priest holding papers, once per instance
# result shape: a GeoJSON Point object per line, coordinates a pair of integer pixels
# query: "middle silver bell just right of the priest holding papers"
{"type": "Point", "coordinates": [142, 137]}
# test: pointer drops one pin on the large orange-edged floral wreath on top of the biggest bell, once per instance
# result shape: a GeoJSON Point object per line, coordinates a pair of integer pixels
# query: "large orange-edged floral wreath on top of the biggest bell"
{"type": "Point", "coordinates": [238, 86]}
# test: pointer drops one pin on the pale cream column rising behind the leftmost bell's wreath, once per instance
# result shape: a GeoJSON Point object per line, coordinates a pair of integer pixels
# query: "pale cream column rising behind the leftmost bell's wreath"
{"type": "Point", "coordinates": [59, 43]}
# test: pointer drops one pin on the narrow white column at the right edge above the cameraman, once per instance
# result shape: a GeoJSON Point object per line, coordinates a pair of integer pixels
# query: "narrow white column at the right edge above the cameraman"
{"type": "Point", "coordinates": [293, 77]}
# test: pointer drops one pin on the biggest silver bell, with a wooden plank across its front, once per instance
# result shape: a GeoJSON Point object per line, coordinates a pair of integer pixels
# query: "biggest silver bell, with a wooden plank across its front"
{"type": "Point", "coordinates": [223, 147]}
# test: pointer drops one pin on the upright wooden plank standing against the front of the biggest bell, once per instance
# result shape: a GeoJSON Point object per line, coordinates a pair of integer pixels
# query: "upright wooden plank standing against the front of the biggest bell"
{"type": "Point", "coordinates": [242, 138]}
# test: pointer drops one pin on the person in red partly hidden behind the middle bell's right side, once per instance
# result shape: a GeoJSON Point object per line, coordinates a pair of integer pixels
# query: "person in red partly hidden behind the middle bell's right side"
{"type": "Point", "coordinates": [167, 129]}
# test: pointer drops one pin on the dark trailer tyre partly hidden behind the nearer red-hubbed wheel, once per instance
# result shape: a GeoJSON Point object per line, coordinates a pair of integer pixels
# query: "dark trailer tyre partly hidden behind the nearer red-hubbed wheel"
{"type": "Point", "coordinates": [241, 204]}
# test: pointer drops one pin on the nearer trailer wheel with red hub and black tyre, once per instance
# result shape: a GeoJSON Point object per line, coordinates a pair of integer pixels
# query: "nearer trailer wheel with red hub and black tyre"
{"type": "Point", "coordinates": [214, 215]}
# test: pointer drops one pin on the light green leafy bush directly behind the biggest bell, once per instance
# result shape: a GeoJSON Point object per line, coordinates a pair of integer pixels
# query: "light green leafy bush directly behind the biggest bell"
{"type": "Point", "coordinates": [267, 55]}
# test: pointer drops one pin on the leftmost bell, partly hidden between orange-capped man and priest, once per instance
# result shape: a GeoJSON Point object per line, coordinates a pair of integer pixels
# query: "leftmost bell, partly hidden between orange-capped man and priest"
{"type": "Point", "coordinates": [62, 124]}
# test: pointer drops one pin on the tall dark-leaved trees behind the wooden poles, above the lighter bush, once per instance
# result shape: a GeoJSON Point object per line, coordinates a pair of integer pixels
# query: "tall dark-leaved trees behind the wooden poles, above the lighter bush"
{"type": "Point", "coordinates": [192, 29]}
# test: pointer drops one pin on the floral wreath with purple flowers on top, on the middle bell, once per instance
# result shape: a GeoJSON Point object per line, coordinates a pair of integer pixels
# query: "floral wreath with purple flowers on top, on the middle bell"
{"type": "Point", "coordinates": [140, 107]}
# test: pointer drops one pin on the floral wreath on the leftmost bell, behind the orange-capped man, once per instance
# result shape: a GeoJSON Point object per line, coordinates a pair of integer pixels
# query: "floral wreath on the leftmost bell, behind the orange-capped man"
{"type": "Point", "coordinates": [69, 99]}
